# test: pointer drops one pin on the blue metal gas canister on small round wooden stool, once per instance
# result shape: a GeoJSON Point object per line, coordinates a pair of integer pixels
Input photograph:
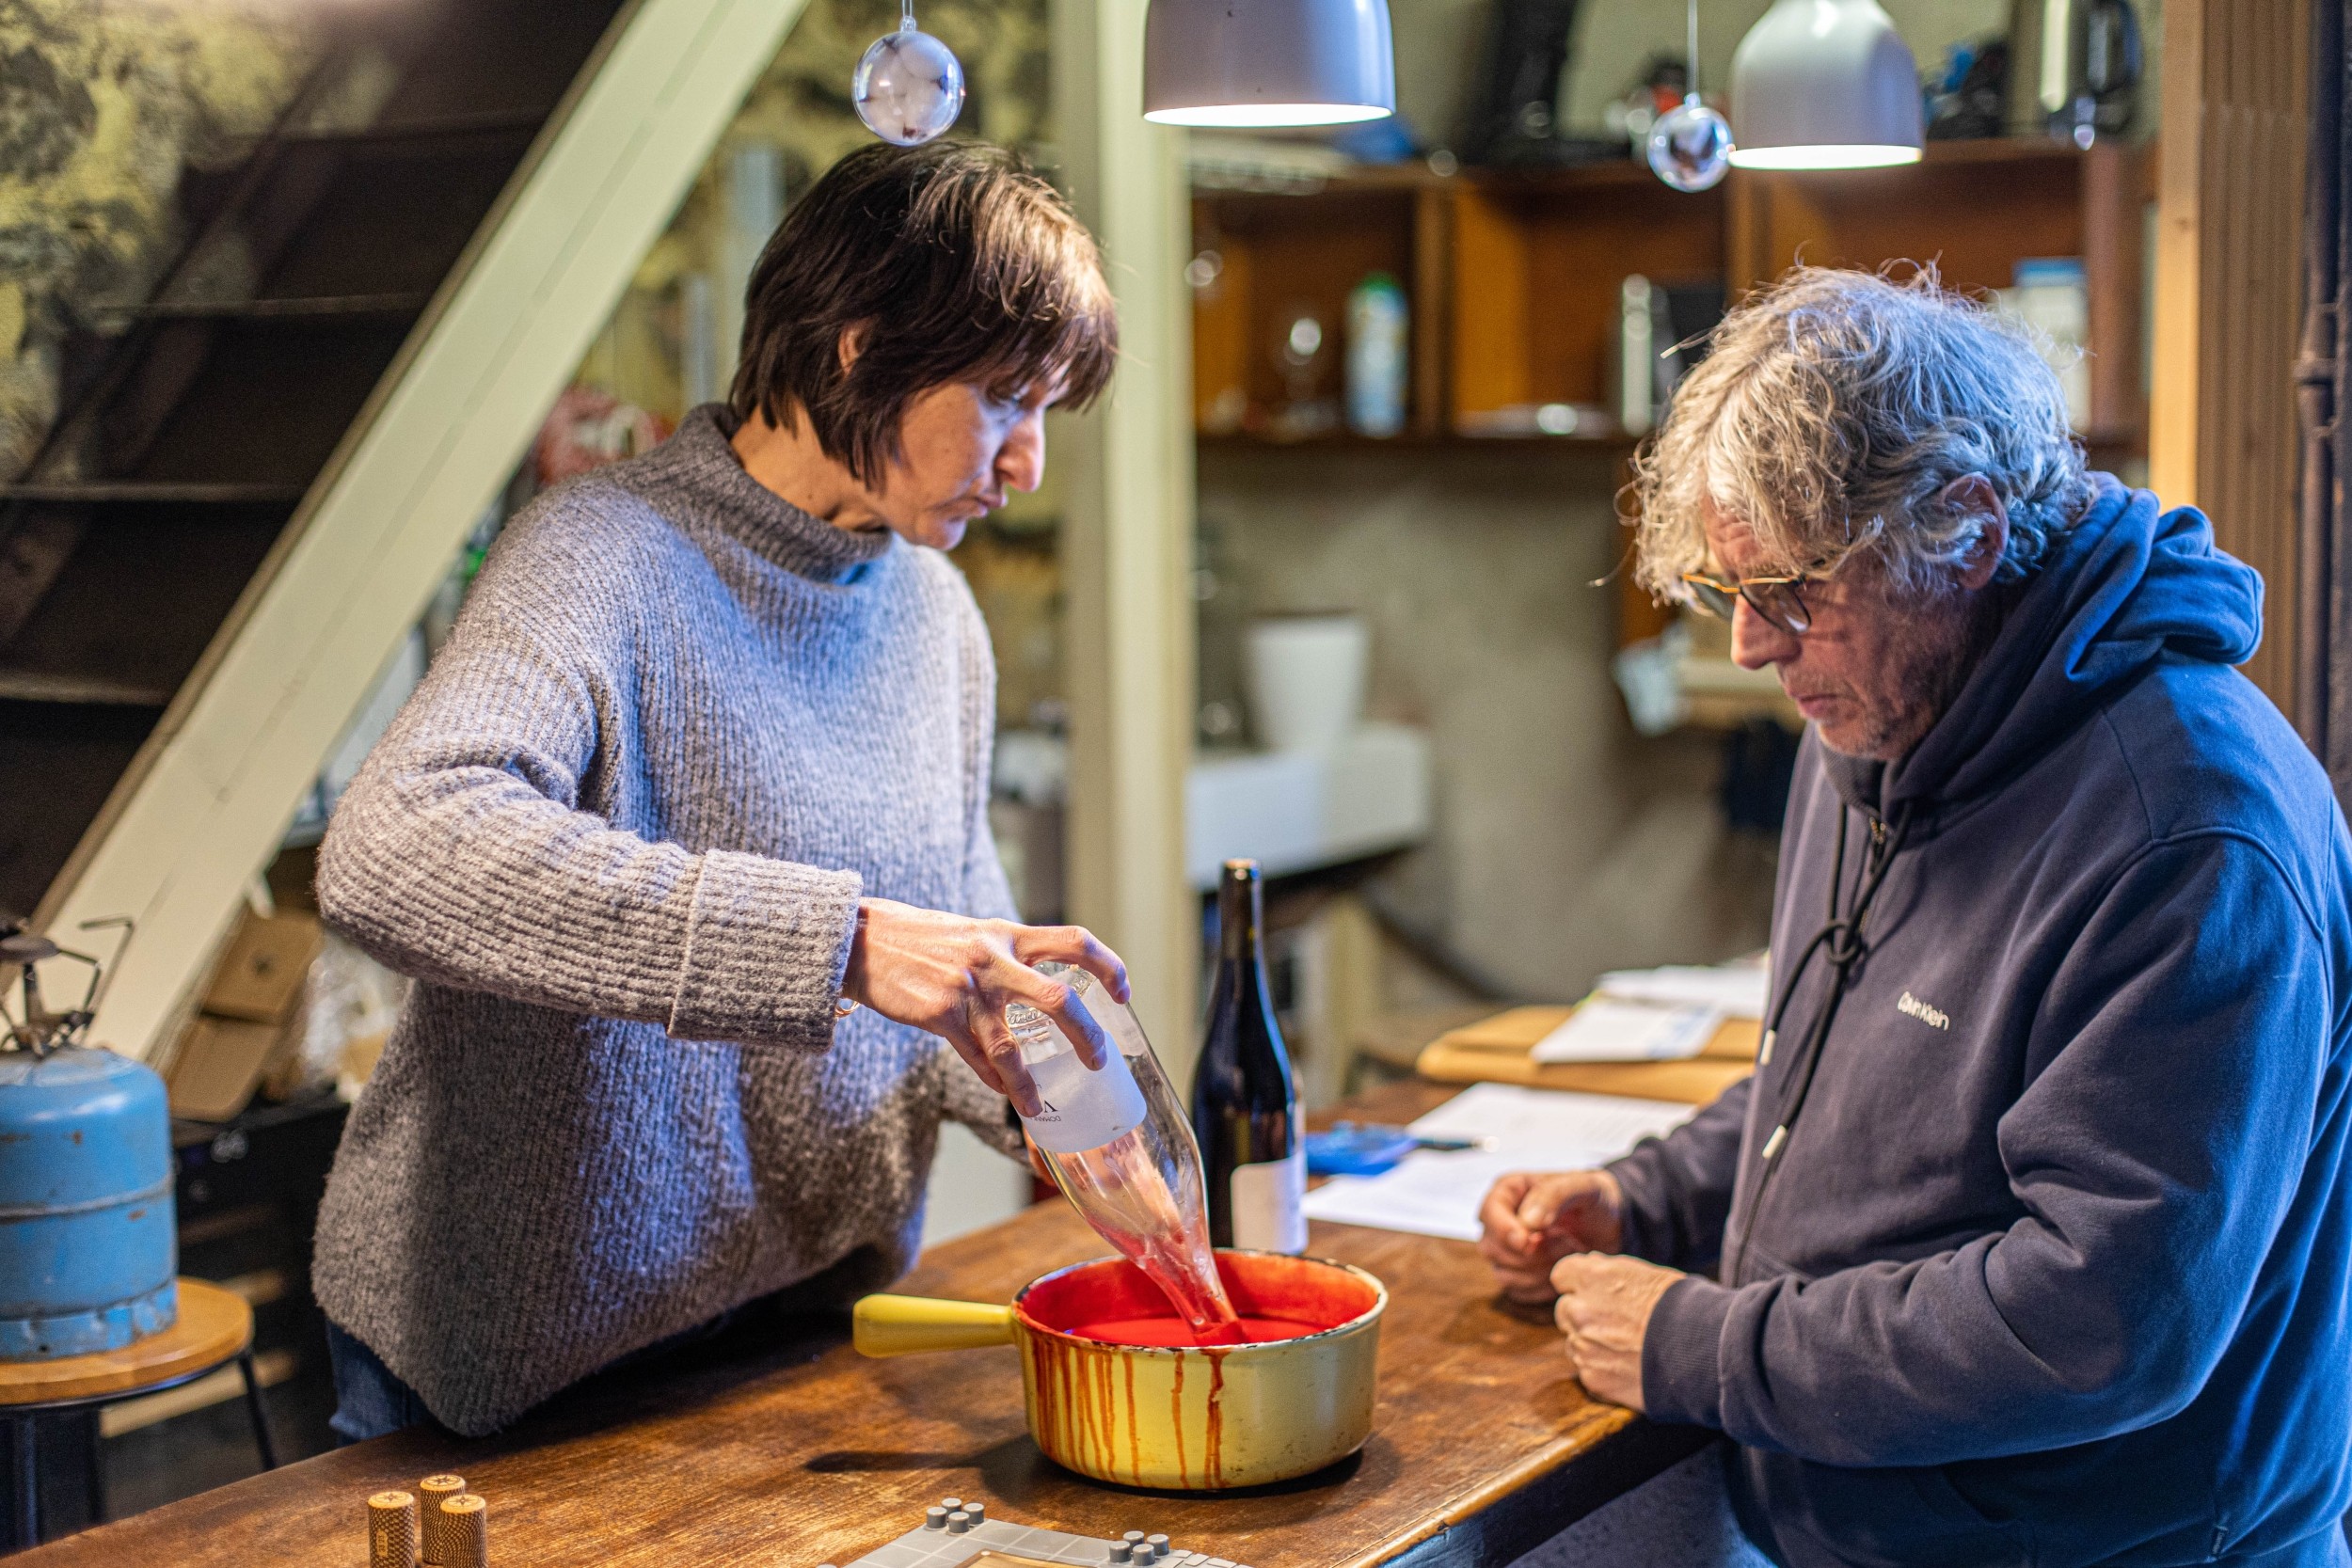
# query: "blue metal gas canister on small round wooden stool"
{"type": "Point", "coordinates": [88, 1240]}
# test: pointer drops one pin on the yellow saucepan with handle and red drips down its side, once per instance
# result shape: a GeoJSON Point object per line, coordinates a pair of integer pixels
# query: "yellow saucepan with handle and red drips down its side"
{"type": "Point", "coordinates": [1189, 1419]}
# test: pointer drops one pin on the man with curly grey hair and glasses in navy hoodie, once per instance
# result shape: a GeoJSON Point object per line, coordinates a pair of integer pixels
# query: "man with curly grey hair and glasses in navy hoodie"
{"type": "Point", "coordinates": [2029, 1240]}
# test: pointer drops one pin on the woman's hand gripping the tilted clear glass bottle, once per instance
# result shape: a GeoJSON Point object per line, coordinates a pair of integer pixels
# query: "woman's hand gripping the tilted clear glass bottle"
{"type": "Point", "coordinates": [956, 977]}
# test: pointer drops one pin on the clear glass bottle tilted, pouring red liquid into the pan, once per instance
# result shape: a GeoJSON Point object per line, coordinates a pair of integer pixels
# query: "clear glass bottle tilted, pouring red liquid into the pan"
{"type": "Point", "coordinates": [1123, 1153]}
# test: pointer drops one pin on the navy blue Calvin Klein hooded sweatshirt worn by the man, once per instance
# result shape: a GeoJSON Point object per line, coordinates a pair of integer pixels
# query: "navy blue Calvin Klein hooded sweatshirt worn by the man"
{"type": "Point", "coordinates": [2052, 1268]}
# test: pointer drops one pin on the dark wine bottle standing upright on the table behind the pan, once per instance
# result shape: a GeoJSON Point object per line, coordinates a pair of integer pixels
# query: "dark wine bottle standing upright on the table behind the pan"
{"type": "Point", "coordinates": [1245, 1101]}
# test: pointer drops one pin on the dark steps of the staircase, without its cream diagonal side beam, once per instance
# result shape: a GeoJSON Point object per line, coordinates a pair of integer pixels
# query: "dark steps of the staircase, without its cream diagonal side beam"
{"type": "Point", "coordinates": [196, 431]}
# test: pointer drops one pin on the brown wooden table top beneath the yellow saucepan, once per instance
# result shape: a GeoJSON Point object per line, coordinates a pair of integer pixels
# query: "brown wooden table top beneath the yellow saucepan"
{"type": "Point", "coordinates": [796, 1452]}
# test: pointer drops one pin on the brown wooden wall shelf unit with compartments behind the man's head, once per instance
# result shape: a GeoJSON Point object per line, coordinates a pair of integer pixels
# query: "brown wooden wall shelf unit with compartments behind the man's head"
{"type": "Point", "coordinates": [1514, 276]}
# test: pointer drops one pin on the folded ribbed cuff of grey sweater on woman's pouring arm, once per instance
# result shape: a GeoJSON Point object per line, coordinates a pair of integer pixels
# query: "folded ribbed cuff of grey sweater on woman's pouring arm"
{"type": "Point", "coordinates": [768, 944]}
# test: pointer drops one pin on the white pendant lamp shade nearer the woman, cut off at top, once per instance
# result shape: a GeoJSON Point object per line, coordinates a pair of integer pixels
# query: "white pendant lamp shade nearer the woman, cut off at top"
{"type": "Point", "coordinates": [1269, 62]}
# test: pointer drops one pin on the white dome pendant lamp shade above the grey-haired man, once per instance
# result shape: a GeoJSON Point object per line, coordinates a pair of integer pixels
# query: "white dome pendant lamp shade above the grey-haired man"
{"type": "Point", "coordinates": [1824, 86]}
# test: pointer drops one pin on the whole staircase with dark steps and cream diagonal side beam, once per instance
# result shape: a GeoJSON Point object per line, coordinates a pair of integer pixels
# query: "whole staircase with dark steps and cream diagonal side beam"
{"type": "Point", "coordinates": [255, 485]}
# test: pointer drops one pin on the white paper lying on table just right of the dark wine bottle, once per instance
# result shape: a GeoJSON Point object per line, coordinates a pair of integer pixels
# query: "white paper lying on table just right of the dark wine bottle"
{"type": "Point", "coordinates": [1535, 1130]}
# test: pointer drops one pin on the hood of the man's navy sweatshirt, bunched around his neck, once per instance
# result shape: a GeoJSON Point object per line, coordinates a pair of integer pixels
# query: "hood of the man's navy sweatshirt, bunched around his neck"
{"type": "Point", "coordinates": [2127, 587]}
